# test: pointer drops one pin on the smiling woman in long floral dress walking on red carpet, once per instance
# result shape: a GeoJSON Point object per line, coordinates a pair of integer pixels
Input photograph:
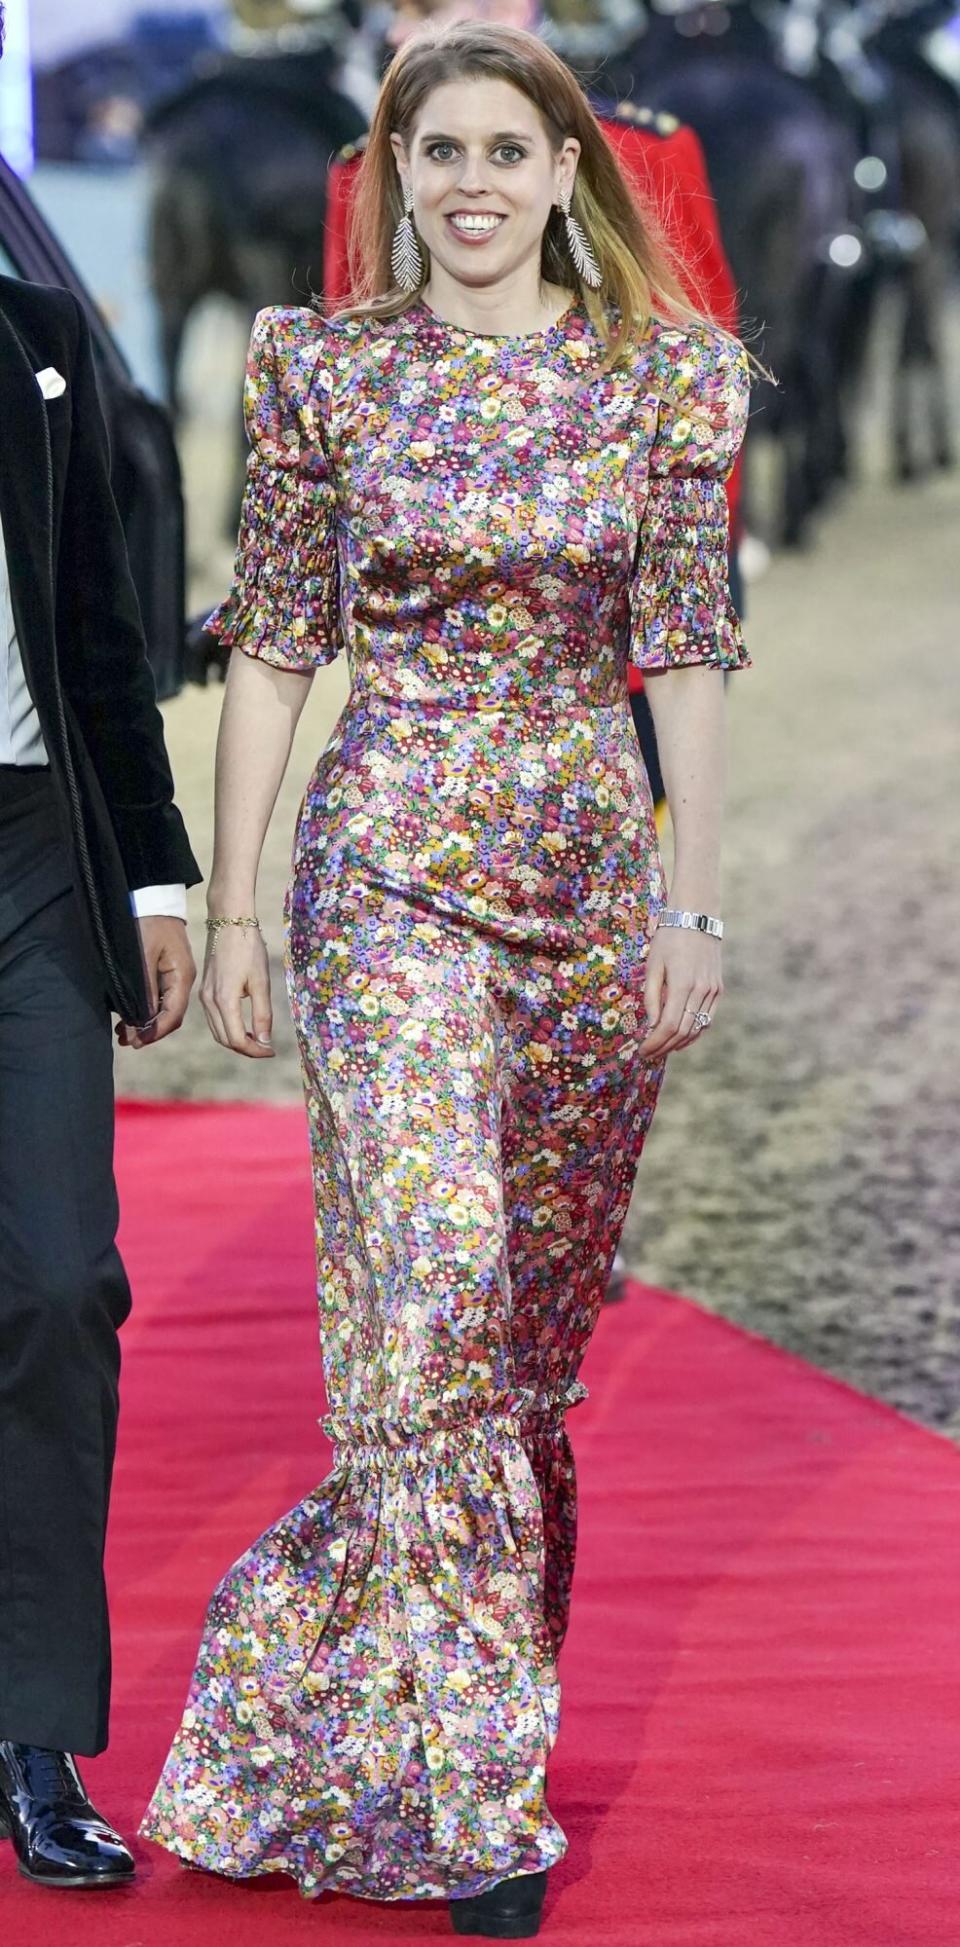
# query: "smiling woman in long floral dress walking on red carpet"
{"type": "Point", "coordinates": [494, 482]}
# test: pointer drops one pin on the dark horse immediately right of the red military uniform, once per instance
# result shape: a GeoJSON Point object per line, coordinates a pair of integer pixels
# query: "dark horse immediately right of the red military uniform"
{"type": "Point", "coordinates": [782, 172]}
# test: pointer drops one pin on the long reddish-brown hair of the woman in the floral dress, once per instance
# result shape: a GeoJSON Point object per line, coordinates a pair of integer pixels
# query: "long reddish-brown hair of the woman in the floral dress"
{"type": "Point", "coordinates": [640, 277]}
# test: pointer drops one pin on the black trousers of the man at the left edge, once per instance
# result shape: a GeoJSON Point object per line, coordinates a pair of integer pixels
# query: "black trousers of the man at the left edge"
{"type": "Point", "coordinates": [63, 1290]}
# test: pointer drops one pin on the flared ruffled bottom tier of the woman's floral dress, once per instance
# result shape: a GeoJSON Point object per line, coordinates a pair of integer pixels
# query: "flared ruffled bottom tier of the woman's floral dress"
{"type": "Point", "coordinates": [377, 1691]}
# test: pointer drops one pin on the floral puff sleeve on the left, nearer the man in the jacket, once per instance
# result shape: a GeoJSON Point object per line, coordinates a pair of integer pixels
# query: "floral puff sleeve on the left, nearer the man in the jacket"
{"type": "Point", "coordinates": [283, 605]}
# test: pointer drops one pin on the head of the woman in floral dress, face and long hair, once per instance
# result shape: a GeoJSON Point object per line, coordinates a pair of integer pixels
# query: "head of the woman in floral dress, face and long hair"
{"type": "Point", "coordinates": [488, 159]}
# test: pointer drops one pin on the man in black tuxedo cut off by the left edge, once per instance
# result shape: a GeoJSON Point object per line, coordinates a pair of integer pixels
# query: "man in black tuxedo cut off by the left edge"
{"type": "Point", "coordinates": [94, 867]}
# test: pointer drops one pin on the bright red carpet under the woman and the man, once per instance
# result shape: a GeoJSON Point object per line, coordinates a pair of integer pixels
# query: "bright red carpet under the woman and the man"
{"type": "Point", "coordinates": [762, 1685]}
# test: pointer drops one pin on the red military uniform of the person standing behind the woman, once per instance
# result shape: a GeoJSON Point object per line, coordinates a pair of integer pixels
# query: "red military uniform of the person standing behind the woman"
{"type": "Point", "coordinates": [663, 161]}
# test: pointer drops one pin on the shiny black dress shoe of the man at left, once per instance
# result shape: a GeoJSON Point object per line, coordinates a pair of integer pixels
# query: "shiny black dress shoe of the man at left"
{"type": "Point", "coordinates": [57, 1835]}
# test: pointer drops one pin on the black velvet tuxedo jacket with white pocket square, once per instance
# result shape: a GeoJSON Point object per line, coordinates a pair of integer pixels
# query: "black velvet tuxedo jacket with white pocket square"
{"type": "Point", "coordinates": [81, 636]}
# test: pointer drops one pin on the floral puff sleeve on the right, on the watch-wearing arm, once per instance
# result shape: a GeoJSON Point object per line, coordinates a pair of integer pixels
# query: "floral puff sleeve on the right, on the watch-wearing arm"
{"type": "Point", "coordinates": [681, 599]}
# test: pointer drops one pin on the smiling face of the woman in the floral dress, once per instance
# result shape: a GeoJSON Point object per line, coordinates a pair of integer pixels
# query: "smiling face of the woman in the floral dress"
{"type": "Point", "coordinates": [484, 178]}
